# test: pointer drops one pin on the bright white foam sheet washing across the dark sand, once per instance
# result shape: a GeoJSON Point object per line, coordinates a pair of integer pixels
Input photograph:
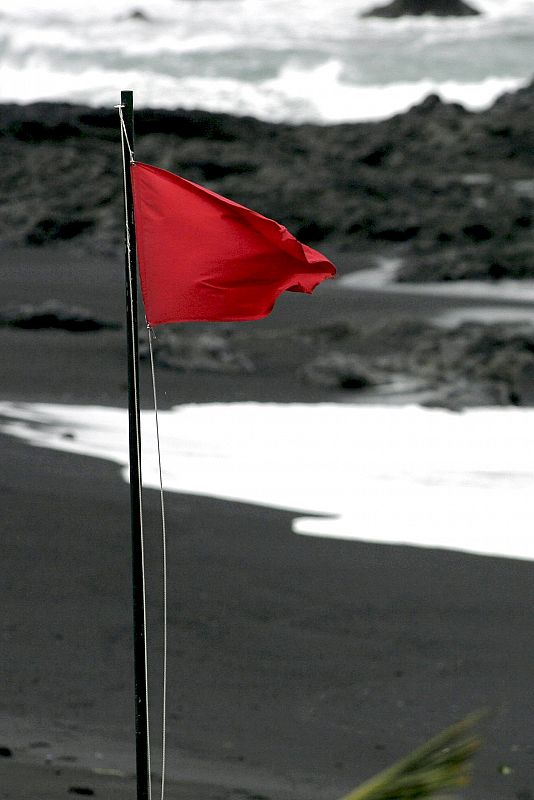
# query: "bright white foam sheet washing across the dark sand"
{"type": "Point", "coordinates": [429, 478]}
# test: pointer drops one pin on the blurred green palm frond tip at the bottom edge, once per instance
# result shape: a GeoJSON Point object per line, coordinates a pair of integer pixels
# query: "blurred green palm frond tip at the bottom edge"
{"type": "Point", "coordinates": [440, 765]}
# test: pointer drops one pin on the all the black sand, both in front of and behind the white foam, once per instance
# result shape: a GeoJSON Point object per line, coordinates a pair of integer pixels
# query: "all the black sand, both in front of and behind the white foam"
{"type": "Point", "coordinates": [298, 666]}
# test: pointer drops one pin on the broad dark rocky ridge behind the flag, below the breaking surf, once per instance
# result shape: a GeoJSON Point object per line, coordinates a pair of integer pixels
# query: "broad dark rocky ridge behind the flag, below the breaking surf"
{"type": "Point", "coordinates": [447, 191]}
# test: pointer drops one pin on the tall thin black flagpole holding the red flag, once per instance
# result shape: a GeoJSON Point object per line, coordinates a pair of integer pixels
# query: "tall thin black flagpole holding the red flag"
{"type": "Point", "coordinates": [139, 618]}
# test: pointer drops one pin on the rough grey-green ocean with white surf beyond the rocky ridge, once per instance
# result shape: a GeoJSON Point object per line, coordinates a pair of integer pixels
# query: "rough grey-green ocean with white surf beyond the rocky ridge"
{"type": "Point", "coordinates": [308, 60]}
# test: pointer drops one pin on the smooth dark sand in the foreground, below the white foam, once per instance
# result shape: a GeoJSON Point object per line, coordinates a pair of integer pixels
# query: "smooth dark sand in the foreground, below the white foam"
{"type": "Point", "coordinates": [276, 641]}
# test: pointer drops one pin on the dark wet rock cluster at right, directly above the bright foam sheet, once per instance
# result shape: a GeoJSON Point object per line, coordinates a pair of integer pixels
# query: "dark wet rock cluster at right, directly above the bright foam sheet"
{"type": "Point", "coordinates": [471, 365]}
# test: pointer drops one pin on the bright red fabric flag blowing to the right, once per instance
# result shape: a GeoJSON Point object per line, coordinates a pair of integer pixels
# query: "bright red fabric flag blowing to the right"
{"type": "Point", "coordinates": [203, 257]}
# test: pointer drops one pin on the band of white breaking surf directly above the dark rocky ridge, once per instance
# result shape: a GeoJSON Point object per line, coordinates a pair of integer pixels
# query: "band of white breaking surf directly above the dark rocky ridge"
{"type": "Point", "coordinates": [295, 95]}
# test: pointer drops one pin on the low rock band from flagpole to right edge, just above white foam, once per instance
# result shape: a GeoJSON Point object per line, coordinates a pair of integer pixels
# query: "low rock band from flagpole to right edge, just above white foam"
{"type": "Point", "coordinates": [472, 364]}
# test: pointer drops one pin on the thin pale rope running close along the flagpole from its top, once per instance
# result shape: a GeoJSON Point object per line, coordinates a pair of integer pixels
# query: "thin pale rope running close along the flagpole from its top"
{"type": "Point", "coordinates": [124, 139]}
